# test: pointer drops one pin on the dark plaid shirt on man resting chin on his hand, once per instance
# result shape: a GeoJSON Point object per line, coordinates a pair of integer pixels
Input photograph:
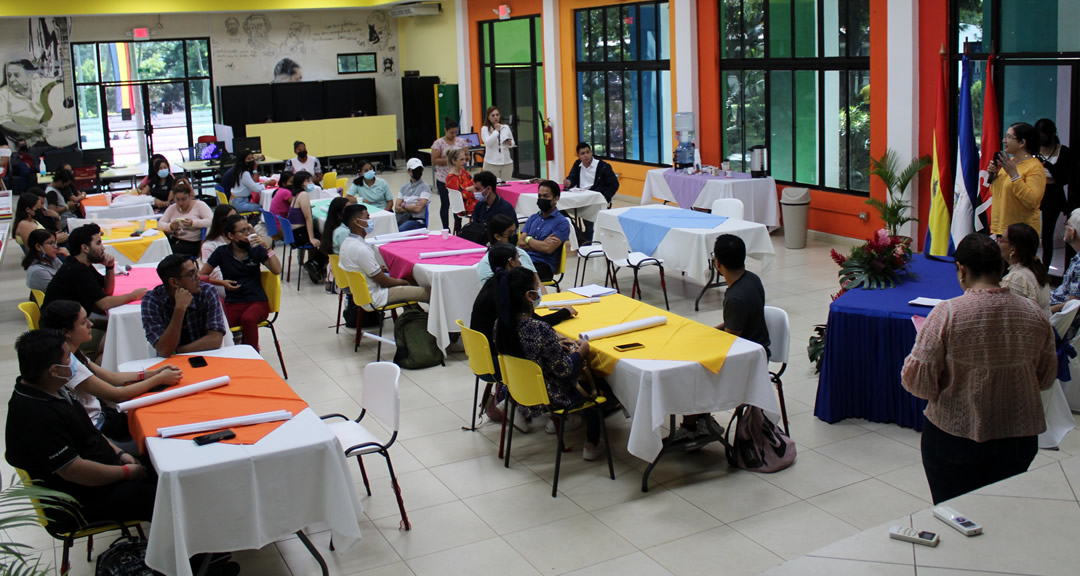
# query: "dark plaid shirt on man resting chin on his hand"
{"type": "Point", "coordinates": [204, 315]}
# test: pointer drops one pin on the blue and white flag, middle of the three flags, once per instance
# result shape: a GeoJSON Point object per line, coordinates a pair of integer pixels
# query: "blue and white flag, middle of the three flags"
{"type": "Point", "coordinates": [966, 193]}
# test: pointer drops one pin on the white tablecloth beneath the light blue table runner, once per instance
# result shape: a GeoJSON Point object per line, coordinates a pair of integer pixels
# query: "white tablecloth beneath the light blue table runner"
{"type": "Point", "coordinates": [688, 249]}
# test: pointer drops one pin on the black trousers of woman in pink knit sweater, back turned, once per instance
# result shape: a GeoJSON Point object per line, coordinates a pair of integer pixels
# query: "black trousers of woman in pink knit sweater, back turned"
{"type": "Point", "coordinates": [956, 466]}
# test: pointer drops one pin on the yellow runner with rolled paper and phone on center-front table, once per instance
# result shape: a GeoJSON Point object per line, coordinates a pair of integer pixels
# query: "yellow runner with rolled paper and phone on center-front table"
{"type": "Point", "coordinates": [681, 339]}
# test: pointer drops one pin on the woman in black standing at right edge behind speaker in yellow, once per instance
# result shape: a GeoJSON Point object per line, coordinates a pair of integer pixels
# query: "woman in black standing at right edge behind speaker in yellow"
{"type": "Point", "coordinates": [1060, 168]}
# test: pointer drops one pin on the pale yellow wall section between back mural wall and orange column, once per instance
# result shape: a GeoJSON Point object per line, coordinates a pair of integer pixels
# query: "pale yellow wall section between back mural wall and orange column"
{"type": "Point", "coordinates": [430, 44]}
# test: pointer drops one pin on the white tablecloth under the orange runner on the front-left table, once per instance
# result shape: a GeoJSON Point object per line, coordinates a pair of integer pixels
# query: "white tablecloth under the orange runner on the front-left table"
{"type": "Point", "coordinates": [223, 498]}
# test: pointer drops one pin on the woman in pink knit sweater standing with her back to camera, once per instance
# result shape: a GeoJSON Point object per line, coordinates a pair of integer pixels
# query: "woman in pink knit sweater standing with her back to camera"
{"type": "Point", "coordinates": [981, 360]}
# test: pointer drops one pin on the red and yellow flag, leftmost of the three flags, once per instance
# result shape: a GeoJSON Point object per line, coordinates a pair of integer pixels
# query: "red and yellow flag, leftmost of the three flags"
{"type": "Point", "coordinates": [941, 184]}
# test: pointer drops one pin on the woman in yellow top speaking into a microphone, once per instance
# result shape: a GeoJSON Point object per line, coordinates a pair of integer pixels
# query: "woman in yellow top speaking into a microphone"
{"type": "Point", "coordinates": [1018, 180]}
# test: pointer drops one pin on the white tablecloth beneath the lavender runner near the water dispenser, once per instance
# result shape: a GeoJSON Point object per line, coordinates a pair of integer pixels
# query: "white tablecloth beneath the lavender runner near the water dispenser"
{"type": "Point", "coordinates": [759, 196]}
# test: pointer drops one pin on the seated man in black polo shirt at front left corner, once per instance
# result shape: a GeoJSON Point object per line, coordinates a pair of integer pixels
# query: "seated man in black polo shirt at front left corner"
{"type": "Point", "coordinates": [51, 438]}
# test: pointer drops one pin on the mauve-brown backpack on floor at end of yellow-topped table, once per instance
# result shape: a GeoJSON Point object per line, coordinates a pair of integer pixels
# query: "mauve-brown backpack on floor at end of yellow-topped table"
{"type": "Point", "coordinates": [759, 445]}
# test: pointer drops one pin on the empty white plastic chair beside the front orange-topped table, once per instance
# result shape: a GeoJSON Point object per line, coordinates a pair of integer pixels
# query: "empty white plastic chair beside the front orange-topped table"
{"type": "Point", "coordinates": [381, 397]}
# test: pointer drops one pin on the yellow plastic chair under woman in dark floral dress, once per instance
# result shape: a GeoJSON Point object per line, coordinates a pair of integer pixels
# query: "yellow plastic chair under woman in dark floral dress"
{"type": "Point", "coordinates": [524, 380]}
